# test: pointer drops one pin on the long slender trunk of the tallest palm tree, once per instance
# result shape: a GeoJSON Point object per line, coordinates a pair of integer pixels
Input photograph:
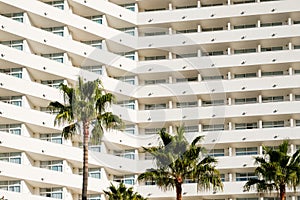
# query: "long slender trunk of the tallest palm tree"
{"type": "Point", "coordinates": [85, 160]}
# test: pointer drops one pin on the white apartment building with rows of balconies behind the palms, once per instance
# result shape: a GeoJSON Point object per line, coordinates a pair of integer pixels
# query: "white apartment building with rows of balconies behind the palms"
{"type": "Point", "coordinates": [226, 69]}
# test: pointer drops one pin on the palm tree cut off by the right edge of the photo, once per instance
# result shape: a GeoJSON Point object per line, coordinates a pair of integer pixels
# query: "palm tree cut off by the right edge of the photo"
{"type": "Point", "coordinates": [276, 171]}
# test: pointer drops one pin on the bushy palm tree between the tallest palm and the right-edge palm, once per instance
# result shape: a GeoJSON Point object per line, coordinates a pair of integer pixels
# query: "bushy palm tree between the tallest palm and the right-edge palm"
{"type": "Point", "coordinates": [177, 160]}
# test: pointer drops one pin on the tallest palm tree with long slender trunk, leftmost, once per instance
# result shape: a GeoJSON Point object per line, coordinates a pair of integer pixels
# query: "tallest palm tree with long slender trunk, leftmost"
{"type": "Point", "coordinates": [85, 106]}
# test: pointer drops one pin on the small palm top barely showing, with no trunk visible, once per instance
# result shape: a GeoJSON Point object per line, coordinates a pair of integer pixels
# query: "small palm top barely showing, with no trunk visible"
{"type": "Point", "coordinates": [122, 193]}
